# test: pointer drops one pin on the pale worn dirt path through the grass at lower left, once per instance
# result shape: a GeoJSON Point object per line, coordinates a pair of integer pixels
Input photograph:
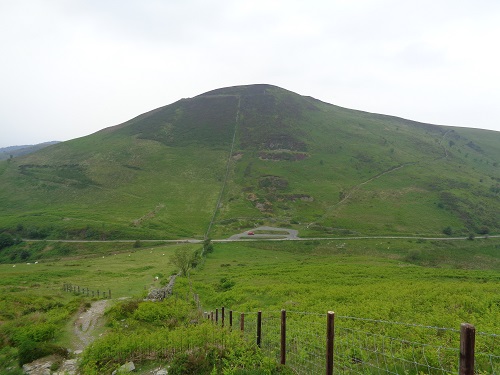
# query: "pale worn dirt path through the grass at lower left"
{"type": "Point", "coordinates": [86, 324]}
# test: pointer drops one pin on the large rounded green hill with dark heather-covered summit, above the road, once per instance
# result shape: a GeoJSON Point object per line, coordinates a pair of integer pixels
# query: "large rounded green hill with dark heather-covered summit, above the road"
{"type": "Point", "coordinates": [272, 157]}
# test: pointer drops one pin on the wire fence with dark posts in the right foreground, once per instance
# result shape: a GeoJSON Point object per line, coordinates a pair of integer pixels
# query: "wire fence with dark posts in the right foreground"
{"type": "Point", "coordinates": [363, 346]}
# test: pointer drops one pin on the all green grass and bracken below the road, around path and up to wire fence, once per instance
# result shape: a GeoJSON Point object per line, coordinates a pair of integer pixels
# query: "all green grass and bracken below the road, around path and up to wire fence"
{"type": "Point", "coordinates": [432, 283]}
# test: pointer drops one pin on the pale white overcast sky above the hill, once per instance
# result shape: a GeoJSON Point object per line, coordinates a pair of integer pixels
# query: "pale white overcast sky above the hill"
{"type": "Point", "coordinates": [69, 68]}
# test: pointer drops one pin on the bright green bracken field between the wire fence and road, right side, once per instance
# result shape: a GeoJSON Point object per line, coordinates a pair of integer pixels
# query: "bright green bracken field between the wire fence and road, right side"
{"type": "Point", "coordinates": [427, 282]}
